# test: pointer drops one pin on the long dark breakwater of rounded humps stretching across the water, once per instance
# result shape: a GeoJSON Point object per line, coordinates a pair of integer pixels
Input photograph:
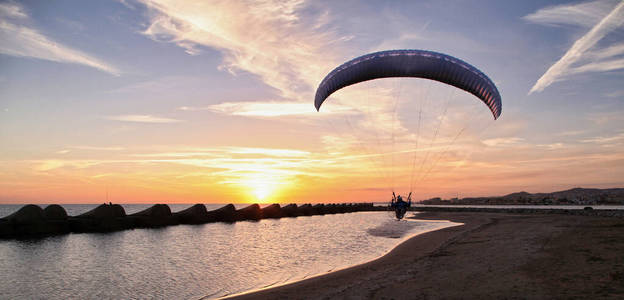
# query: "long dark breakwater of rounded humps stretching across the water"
{"type": "Point", "coordinates": [33, 221]}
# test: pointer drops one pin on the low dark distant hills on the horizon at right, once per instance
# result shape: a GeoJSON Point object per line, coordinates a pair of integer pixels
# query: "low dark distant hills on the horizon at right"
{"type": "Point", "coordinates": [575, 196]}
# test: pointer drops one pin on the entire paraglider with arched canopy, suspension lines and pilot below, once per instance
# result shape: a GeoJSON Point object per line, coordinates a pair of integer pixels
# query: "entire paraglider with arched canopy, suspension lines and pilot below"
{"type": "Point", "coordinates": [423, 64]}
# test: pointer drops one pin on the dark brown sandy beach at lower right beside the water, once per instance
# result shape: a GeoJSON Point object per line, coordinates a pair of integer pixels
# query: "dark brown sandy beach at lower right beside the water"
{"type": "Point", "coordinates": [491, 256]}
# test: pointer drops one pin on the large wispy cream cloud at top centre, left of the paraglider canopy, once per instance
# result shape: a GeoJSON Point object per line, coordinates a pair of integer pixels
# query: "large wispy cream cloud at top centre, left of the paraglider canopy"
{"type": "Point", "coordinates": [251, 35]}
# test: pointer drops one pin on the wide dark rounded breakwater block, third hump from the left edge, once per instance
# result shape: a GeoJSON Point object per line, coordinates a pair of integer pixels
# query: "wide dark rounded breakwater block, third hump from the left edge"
{"type": "Point", "coordinates": [105, 217]}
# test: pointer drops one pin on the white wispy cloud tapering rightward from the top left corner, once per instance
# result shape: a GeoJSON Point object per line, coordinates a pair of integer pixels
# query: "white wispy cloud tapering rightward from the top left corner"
{"type": "Point", "coordinates": [21, 40]}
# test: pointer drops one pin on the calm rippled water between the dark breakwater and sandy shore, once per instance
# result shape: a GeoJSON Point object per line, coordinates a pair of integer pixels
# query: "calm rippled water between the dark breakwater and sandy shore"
{"type": "Point", "coordinates": [189, 262]}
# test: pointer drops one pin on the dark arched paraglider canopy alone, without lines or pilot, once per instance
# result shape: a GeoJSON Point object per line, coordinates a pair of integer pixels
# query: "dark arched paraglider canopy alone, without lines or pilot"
{"type": "Point", "coordinates": [412, 63]}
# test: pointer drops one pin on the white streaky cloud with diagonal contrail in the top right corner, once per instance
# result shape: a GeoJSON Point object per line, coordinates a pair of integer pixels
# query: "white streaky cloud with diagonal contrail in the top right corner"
{"type": "Point", "coordinates": [579, 54]}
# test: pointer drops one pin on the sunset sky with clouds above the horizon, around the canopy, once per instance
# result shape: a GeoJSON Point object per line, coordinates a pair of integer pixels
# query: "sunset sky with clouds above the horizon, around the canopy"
{"type": "Point", "coordinates": [162, 101]}
